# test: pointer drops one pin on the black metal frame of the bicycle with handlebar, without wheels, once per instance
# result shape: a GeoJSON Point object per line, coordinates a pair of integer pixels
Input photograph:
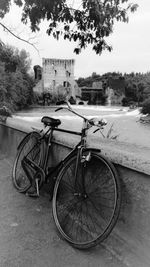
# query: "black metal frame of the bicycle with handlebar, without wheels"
{"type": "Point", "coordinates": [45, 171]}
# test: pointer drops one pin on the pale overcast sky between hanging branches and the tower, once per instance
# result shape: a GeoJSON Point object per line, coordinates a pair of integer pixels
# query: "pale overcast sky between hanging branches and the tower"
{"type": "Point", "coordinates": [130, 42]}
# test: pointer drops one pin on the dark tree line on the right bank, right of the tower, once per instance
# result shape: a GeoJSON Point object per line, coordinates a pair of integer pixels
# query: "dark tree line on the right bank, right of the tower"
{"type": "Point", "coordinates": [137, 85]}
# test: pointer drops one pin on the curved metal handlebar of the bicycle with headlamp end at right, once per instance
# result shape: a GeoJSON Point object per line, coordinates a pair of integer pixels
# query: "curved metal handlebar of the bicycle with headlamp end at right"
{"type": "Point", "coordinates": [92, 122]}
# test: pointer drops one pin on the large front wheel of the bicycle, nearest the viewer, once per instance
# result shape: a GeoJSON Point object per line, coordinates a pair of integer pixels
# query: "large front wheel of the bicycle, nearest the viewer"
{"type": "Point", "coordinates": [85, 222]}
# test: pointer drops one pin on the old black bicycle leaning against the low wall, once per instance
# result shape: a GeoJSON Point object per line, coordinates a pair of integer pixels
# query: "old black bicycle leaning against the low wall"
{"type": "Point", "coordinates": [86, 188]}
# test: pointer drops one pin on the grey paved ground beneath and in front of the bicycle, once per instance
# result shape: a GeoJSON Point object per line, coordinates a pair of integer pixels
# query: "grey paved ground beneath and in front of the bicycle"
{"type": "Point", "coordinates": [28, 237]}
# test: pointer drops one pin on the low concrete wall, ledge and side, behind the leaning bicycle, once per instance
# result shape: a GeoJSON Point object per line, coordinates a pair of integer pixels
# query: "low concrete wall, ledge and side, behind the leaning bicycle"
{"type": "Point", "coordinates": [130, 240]}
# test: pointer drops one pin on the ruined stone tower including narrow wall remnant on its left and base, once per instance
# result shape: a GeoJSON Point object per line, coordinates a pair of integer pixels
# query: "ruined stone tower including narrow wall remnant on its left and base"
{"type": "Point", "coordinates": [57, 77]}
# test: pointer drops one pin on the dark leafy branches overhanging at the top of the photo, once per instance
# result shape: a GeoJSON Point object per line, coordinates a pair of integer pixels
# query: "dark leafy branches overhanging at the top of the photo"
{"type": "Point", "coordinates": [90, 23]}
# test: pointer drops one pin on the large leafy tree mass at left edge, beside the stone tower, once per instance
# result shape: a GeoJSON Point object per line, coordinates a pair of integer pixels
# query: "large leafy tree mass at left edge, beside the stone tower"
{"type": "Point", "coordinates": [15, 82]}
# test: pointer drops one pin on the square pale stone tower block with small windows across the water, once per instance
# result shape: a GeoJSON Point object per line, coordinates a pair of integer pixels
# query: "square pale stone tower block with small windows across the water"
{"type": "Point", "coordinates": [57, 74]}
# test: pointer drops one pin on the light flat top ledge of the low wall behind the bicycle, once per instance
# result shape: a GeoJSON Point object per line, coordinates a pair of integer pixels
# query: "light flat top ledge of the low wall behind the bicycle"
{"type": "Point", "coordinates": [128, 155]}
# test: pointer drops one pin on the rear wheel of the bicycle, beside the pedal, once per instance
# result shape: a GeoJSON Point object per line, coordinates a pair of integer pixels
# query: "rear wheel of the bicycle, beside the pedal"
{"type": "Point", "coordinates": [19, 178]}
